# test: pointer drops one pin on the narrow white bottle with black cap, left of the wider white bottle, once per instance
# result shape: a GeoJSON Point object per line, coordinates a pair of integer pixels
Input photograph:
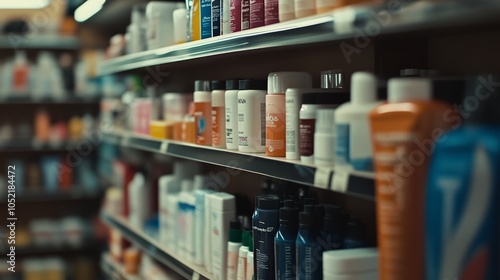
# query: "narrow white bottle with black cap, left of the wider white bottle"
{"type": "Point", "coordinates": [231, 102]}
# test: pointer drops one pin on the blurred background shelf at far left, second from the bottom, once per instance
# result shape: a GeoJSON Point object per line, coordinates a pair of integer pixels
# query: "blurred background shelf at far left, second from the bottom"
{"type": "Point", "coordinates": [43, 197]}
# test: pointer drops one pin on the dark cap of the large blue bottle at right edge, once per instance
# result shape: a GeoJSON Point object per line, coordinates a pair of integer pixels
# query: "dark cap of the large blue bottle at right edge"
{"type": "Point", "coordinates": [482, 100]}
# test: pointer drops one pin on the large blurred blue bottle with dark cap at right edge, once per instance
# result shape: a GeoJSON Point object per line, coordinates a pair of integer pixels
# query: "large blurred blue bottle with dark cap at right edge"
{"type": "Point", "coordinates": [462, 231]}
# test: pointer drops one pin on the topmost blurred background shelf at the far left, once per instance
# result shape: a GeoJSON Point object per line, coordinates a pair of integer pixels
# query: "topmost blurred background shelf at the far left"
{"type": "Point", "coordinates": [42, 42]}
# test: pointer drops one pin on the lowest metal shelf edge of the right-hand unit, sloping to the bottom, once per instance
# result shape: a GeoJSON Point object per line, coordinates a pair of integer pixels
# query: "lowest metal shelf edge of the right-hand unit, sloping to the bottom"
{"type": "Point", "coordinates": [154, 249]}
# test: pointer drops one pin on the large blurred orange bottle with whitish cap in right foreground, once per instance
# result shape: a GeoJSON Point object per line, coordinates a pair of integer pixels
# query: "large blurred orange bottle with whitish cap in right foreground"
{"type": "Point", "coordinates": [398, 130]}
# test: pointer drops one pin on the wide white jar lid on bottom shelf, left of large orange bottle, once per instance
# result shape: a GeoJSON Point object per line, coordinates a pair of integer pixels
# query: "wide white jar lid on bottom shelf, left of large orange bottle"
{"type": "Point", "coordinates": [350, 261]}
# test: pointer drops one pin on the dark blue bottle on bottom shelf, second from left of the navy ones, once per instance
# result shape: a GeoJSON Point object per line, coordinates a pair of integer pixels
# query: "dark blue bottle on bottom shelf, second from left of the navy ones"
{"type": "Point", "coordinates": [284, 243]}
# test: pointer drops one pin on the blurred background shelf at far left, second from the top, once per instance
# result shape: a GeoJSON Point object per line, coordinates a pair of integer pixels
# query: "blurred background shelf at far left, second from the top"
{"type": "Point", "coordinates": [27, 99]}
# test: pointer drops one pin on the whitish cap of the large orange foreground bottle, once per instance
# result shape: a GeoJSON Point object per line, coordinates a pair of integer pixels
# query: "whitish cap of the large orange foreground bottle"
{"type": "Point", "coordinates": [409, 89]}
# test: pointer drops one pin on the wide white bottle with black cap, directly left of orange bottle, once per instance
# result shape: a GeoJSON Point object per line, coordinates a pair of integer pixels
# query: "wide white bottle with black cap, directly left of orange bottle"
{"type": "Point", "coordinates": [251, 116]}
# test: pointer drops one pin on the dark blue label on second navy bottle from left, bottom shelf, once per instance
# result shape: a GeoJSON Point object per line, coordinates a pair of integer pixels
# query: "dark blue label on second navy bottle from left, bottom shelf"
{"type": "Point", "coordinates": [285, 260]}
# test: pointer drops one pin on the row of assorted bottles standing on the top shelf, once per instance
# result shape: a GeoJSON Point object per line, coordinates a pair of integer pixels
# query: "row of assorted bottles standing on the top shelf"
{"type": "Point", "coordinates": [161, 24]}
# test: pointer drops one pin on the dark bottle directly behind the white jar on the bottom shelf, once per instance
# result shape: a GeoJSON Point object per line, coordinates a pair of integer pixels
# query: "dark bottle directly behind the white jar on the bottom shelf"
{"type": "Point", "coordinates": [333, 228]}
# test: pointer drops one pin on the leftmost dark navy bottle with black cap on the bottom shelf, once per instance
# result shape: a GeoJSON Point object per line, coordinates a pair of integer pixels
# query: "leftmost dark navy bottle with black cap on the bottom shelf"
{"type": "Point", "coordinates": [267, 225]}
